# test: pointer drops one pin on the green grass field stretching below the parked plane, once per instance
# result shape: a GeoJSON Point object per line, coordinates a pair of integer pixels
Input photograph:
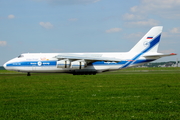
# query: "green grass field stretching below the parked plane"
{"type": "Point", "coordinates": [134, 93]}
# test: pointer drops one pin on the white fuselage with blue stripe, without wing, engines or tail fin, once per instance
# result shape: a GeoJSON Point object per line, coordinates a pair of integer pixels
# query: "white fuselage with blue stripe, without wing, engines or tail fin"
{"type": "Point", "coordinates": [47, 62]}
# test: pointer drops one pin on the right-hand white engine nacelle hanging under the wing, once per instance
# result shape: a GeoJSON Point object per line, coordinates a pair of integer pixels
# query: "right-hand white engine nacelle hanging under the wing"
{"type": "Point", "coordinates": [78, 64]}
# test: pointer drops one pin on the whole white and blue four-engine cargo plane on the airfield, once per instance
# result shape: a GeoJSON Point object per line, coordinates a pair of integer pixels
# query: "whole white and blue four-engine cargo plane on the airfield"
{"type": "Point", "coordinates": [90, 63]}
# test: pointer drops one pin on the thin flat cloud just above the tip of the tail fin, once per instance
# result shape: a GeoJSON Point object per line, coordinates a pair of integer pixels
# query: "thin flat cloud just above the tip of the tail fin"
{"type": "Point", "coordinates": [150, 22]}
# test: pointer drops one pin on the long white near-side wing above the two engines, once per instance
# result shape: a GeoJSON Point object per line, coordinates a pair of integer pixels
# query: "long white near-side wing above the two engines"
{"type": "Point", "coordinates": [92, 58]}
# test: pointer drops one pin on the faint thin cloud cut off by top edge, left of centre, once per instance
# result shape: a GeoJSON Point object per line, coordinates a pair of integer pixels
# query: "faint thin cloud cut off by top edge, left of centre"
{"type": "Point", "coordinates": [69, 2]}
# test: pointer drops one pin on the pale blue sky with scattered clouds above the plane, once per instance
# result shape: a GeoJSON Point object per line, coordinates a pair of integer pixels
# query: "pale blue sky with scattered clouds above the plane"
{"type": "Point", "coordinates": [62, 26]}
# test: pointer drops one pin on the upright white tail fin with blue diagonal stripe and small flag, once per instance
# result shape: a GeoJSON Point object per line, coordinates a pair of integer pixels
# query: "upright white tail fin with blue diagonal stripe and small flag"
{"type": "Point", "coordinates": [150, 42]}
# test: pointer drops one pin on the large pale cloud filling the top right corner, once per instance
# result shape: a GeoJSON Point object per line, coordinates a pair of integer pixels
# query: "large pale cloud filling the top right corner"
{"type": "Point", "coordinates": [166, 8]}
